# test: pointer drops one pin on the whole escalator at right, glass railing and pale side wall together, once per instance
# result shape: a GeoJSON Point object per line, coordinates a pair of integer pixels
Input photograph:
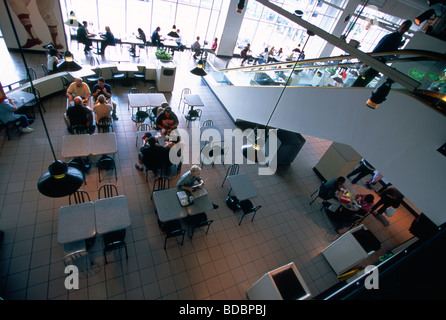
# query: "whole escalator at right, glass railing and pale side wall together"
{"type": "Point", "coordinates": [315, 97]}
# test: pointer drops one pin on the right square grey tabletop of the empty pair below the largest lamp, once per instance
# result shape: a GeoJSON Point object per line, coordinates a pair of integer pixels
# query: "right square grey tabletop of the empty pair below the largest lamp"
{"type": "Point", "coordinates": [111, 214]}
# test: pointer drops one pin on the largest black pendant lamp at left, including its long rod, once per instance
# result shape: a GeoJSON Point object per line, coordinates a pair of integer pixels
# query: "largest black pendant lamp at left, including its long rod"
{"type": "Point", "coordinates": [60, 180]}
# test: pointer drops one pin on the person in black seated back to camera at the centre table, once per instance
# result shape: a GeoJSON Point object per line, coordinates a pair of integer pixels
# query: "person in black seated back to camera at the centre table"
{"type": "Point", "coordinates": [151, 155]}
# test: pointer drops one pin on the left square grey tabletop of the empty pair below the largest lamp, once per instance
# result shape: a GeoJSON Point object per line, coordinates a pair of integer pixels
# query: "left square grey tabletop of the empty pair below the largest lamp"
{"type": "Point", "coordinates": [76, 222]}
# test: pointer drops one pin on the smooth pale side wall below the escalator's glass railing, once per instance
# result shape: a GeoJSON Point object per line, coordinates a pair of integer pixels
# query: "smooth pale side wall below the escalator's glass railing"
{"type": "Point", "coordinates": [400, 138]}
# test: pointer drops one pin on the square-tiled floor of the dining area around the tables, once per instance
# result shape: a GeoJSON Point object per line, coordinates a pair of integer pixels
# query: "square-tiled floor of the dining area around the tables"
{"type": "Point", "coordinates": [220, 265]}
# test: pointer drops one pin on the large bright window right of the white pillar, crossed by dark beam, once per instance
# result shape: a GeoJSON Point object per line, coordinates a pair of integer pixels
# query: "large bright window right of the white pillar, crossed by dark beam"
{"type": "Point", "coordinates": [263, 27]}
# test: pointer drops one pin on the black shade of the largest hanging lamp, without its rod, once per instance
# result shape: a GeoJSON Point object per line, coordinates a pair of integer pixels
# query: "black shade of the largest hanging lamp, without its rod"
{"type": "Point", "coordinates": [60, 180]}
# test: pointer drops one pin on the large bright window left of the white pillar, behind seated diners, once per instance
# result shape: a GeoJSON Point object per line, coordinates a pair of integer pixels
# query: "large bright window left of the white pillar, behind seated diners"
{"type": "Point", "coordinates": [193, 17]}
